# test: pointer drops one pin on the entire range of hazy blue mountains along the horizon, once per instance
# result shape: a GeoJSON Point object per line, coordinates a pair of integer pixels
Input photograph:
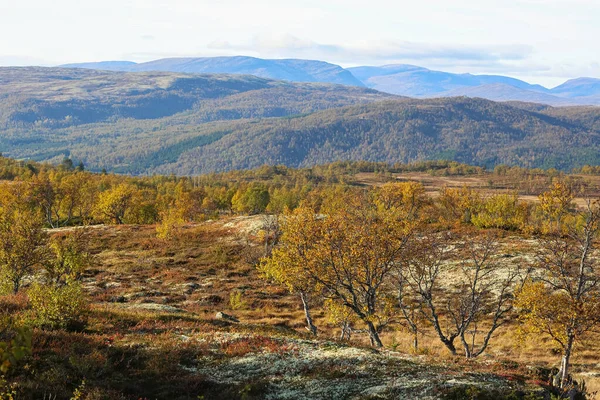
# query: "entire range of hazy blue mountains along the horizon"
{"type": "Point", "coordinates": [403, 80]}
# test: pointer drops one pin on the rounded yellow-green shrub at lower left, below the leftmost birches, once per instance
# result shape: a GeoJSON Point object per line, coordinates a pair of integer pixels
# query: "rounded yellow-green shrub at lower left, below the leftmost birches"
{"type": "Point", "coordinates": [57, 307]}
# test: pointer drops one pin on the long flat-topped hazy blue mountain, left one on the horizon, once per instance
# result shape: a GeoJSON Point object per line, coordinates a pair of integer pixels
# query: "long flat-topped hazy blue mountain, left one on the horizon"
{"type": "Point", "coordinates": [288, 70]}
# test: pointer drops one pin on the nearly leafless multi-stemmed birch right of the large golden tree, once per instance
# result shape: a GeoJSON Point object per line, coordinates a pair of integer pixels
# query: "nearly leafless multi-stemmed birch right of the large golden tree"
{"type": "Point", "coordinates": [462, 294]}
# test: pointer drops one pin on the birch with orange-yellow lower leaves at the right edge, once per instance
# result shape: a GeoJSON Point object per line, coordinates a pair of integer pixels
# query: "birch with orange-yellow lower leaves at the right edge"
{"type": "Point", "coordinates": [564, 301]}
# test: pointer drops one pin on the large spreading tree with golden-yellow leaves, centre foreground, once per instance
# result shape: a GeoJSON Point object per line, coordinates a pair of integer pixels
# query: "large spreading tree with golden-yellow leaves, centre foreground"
{"type": "Point", "coordinates": [348, 253]}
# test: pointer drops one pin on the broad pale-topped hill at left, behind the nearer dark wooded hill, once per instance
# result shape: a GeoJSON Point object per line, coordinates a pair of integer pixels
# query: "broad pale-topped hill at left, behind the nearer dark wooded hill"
{"type": "Point", "coordinates": [60, 97]}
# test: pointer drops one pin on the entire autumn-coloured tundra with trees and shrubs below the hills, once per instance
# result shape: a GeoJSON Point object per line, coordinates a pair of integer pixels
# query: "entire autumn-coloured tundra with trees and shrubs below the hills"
{"type": "Point", "coordinates": [179, 287]}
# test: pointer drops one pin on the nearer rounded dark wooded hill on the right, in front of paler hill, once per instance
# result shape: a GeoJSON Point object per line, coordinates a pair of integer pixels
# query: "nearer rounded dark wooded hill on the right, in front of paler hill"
{"type": "Point", "coordinates": [466, 130]}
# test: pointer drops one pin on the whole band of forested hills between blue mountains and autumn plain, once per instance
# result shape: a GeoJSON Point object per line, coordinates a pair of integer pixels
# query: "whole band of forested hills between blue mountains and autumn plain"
{"type": "Point", "coordinates": [144, 123]}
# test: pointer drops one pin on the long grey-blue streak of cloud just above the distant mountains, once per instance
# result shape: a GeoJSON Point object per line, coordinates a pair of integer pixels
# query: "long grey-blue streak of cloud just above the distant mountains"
{"type": "Point", "coordinates": [373, 51]}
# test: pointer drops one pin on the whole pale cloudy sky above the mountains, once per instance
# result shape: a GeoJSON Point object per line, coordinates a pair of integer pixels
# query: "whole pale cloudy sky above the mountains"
{"type": "Point", "coordinates": [540, 41]}
